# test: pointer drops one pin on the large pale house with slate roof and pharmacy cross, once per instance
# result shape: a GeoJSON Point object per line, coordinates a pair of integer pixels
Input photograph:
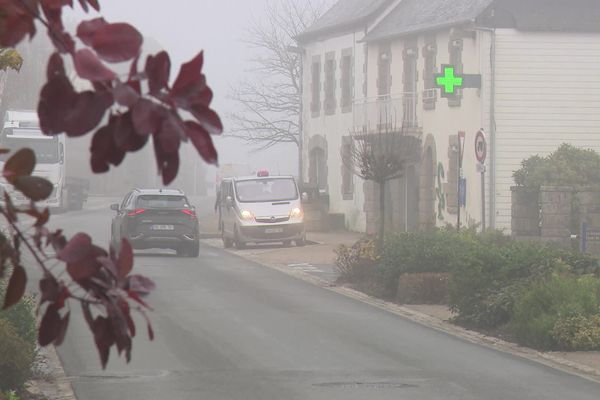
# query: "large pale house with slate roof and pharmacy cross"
{"type": "Point", "coordinates": [537, 60]}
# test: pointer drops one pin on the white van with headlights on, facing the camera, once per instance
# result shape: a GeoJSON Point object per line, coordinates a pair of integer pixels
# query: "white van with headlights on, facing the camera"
{"type": "Point", "coordinates": [261, 209]}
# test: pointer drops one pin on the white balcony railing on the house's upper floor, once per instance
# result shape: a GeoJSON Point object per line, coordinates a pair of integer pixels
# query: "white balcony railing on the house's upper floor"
{"type": "Point", "coordinates": [390, 111]}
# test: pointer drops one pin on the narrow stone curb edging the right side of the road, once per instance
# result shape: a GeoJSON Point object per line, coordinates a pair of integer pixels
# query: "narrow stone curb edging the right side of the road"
{"type": "Point", "coordinates": [437, 324]}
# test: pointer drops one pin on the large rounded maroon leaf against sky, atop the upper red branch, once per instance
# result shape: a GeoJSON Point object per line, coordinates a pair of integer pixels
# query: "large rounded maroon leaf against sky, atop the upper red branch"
{"type": "Point", "coordinates": [117, 42]}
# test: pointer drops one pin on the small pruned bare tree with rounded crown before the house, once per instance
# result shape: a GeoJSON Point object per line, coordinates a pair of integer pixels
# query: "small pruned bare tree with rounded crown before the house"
{"type": "Point", "coordinates": [381, 155]}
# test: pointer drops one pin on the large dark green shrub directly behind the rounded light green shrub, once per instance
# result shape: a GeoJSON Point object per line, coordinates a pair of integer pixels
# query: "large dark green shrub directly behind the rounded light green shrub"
{"type": "Point", "coordinates": [484, 289]}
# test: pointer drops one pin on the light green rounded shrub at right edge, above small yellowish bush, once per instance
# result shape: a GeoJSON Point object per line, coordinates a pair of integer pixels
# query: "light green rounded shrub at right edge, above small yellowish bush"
{"type": "Point", "coordinates": [542, 309]}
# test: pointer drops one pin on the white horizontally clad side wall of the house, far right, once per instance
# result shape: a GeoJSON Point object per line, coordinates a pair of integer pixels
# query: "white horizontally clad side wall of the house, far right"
{"type": "Point", "coordinates": [547, 93]}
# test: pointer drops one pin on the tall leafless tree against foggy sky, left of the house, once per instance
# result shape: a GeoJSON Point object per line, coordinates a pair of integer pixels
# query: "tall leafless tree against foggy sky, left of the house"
{"type": "Point", "coordinates": [270, 98]}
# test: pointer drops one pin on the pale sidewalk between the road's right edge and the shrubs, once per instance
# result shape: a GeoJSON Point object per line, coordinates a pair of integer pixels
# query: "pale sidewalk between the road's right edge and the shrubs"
{"type": "Point", "coordinates": [315, 263]}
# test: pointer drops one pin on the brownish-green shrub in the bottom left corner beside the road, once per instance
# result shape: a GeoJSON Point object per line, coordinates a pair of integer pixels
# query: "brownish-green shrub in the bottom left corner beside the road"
{"type": "Point", "coordinates": [17, 358]}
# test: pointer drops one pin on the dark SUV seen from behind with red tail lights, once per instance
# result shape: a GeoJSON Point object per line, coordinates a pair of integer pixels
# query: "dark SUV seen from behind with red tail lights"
{"type": "Point", "coordinates": [157, 218]}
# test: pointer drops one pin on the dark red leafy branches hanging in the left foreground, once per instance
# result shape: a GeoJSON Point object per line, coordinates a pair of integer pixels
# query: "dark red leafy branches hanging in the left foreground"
{"type": "Point", "coordinates": [123, 112]}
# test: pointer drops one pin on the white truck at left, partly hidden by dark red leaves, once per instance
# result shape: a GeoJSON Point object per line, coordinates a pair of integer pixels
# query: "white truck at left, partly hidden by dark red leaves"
{"type": "Point", "coordinates": [21, 129]}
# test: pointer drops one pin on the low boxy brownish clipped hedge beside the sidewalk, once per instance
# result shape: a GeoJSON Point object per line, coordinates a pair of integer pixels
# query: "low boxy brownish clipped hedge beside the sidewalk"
{"type": "Point", "coordinates": [423, 288]}
